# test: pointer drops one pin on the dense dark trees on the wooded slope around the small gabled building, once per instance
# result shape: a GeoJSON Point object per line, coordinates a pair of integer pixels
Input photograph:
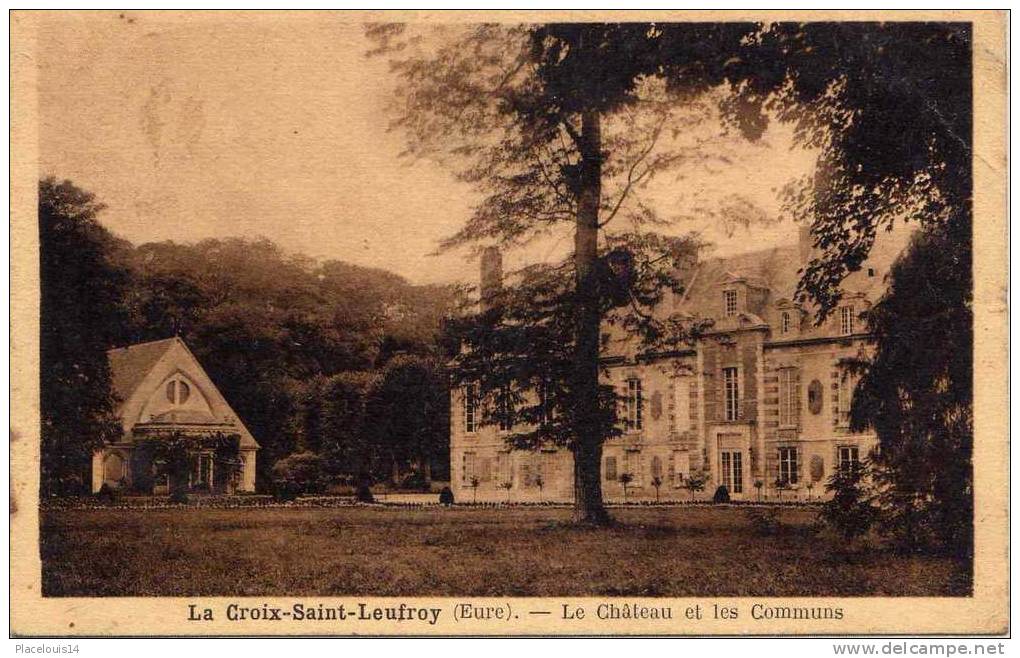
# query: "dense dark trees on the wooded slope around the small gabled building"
{"type": "Point", "coordinates": [288, 341]}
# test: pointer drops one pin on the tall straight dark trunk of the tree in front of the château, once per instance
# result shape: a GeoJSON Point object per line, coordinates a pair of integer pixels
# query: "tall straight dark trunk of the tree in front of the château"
{"type": "Point", "coordinates": [589, 508]}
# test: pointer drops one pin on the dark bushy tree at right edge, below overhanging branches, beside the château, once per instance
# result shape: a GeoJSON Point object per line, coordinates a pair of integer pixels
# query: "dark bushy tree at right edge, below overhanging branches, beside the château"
{"type": "Point", "coordinates": [917, 392]}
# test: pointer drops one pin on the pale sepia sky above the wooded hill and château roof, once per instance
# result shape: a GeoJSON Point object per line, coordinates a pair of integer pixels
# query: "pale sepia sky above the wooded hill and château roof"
{"type": "Point", "coordinates": [277, 126]}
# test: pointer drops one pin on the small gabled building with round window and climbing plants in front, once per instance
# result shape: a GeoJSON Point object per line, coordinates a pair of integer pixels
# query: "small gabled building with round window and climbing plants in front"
{"type": "Point", "coordinates": [163, 391]}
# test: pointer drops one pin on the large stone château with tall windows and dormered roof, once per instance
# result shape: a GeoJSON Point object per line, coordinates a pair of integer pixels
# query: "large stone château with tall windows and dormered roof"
{"type": "Point", "coordinates": [759, 404]}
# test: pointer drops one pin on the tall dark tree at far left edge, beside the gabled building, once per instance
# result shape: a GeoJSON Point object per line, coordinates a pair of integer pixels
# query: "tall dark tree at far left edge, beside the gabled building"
{"type": "Point", "coordinates": [81, 317]}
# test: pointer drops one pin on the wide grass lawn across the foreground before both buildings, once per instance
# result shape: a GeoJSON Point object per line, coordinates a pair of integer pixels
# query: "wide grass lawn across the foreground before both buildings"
{"type": "Point", "coordinates": [679, 551]}
